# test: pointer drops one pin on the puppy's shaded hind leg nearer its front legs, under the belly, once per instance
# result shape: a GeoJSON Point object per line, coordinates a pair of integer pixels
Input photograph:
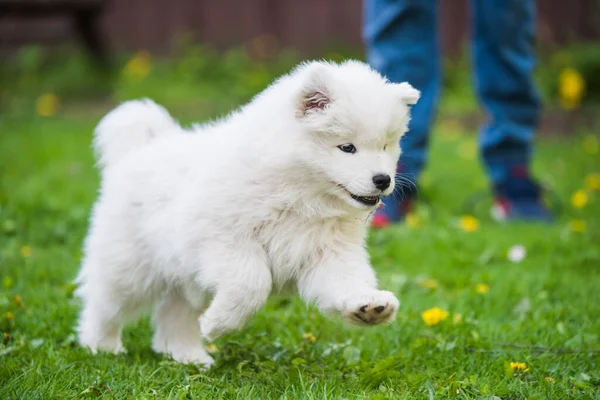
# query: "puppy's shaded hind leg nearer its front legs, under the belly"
{"type": "Point", "coordinates": [178, 332]}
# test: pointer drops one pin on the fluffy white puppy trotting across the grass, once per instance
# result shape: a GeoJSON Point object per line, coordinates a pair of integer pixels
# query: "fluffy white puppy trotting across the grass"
{"type": "Point", "coordinates": [203, 225]}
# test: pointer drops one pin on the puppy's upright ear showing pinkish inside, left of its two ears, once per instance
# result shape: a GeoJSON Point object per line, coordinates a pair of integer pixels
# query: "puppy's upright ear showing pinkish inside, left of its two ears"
{"type": "Point", "coordinates": [315, 95]}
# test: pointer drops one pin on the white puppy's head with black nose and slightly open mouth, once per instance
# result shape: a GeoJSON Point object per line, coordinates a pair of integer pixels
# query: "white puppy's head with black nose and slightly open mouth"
{"type": "Point", "coordinates": [355, 119]}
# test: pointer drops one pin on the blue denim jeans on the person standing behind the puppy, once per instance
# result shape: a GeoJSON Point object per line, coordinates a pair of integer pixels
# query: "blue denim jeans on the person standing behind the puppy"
{"type": "Point", "coordinates": [402, 44]}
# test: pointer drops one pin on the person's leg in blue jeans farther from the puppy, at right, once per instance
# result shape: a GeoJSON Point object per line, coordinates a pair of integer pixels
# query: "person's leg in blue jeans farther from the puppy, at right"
{"type": "Point", "coordinates": [504, 58]}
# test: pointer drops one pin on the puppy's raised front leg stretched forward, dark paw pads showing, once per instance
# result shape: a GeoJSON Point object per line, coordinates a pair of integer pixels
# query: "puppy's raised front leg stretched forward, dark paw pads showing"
{"type": "Point", "coordinates": [345, 284]}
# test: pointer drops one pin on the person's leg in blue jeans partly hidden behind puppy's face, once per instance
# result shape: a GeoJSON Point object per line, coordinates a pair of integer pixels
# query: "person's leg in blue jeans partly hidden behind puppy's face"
{"type": "Point", "coordinates": [402, 45]}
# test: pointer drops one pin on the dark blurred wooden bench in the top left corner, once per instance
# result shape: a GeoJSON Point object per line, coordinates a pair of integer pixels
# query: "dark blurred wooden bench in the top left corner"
{"type": "Point", "coordinates": [84, 13]}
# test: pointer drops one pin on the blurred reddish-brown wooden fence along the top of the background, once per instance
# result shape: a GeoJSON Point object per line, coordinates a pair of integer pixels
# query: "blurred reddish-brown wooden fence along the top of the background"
{"type": "Point", "coordinates": [306, 25]}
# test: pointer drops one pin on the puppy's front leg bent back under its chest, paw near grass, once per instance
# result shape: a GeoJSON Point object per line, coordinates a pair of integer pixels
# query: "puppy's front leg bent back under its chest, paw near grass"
{"type": "Point", "coordinates": [243, 285]}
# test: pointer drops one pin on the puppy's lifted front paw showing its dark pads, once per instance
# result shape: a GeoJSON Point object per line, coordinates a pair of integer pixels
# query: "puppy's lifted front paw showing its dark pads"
{"type": "Point", "coordinates": [375, 308]}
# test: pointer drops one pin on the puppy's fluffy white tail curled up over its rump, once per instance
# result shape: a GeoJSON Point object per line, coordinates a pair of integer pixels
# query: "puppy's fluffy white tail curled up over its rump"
{"type": "Point", "coordinates": [131, 126]}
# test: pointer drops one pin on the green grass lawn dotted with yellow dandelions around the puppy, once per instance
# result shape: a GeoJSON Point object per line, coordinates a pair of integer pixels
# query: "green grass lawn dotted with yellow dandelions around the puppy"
{"type": "Point", "coordinates": [544, 311]}
